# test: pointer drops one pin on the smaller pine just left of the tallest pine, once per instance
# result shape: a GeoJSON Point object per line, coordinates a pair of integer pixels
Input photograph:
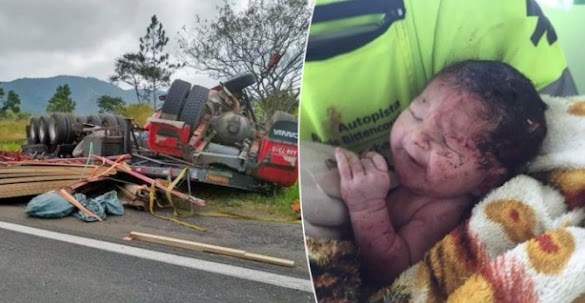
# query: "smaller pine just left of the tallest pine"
{"type": "Point", "coordinates": [129, 70]}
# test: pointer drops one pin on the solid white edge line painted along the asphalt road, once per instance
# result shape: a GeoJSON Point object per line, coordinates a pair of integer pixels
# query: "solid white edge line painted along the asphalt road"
{"type": "Point", "coordinates": [213, 267]}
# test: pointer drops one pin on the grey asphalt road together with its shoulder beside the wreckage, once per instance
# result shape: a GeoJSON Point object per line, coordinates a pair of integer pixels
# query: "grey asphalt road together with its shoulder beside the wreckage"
{"type": "Point", "coordinates": [37, 268]}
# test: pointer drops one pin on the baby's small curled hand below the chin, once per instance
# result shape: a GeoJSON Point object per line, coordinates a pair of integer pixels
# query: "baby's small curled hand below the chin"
{"type": "Point", "coordinates": [365, 181]}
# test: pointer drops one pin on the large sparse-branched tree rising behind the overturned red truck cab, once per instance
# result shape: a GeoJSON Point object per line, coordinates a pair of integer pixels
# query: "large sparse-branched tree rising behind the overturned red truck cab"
{"type": "Point", "coordinates": [266, 39]}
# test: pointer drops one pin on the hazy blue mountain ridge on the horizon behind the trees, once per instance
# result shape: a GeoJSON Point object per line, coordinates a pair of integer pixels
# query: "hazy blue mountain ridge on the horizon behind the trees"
{"type": "Point", "coordinates": [35, 92]}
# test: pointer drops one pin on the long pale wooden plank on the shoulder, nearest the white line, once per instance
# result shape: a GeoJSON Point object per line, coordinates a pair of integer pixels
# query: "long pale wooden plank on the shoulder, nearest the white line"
{"type": "Point", "coordinates": [197, 246]}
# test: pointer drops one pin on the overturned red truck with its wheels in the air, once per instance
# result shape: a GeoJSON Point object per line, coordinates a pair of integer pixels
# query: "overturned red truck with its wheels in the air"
{"type": "Point", "coordinates": [211, 132]}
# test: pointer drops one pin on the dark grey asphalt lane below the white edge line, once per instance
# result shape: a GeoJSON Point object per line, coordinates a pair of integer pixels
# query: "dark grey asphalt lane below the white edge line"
{"type": "Point", "coordinates": [35, 269]}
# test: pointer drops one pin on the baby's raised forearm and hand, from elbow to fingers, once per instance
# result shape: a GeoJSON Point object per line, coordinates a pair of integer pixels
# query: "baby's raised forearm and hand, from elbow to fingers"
{"type": "Point", "coordinates": [365, 183]}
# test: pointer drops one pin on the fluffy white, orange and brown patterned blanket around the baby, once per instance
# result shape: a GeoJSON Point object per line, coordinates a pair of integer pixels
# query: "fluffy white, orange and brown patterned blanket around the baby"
{"type": "Point", "coordinates": [524, 242]}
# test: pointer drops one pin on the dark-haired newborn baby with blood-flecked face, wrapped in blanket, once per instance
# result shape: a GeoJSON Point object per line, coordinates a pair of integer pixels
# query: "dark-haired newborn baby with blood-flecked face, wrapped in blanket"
{"type": "Point", "coordinates": [473, 127]}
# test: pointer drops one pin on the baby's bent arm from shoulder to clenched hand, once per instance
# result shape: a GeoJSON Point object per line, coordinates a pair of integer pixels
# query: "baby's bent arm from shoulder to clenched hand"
{"type": "Point", "coordinates": [387, 252]}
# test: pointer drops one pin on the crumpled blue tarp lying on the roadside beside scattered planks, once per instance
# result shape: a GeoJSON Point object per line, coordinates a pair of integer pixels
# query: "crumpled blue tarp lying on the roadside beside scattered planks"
{"type": "Point", "coordinates": [52, 205]}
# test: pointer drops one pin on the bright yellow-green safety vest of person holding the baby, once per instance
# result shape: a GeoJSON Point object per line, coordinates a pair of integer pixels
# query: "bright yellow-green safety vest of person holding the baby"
{"type": "Point", "coordinates": [354, 88]}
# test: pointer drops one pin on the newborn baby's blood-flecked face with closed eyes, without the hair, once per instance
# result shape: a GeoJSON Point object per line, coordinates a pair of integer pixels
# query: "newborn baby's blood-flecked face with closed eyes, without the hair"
{"type": "Point", "coordinates": [433, 145]}
